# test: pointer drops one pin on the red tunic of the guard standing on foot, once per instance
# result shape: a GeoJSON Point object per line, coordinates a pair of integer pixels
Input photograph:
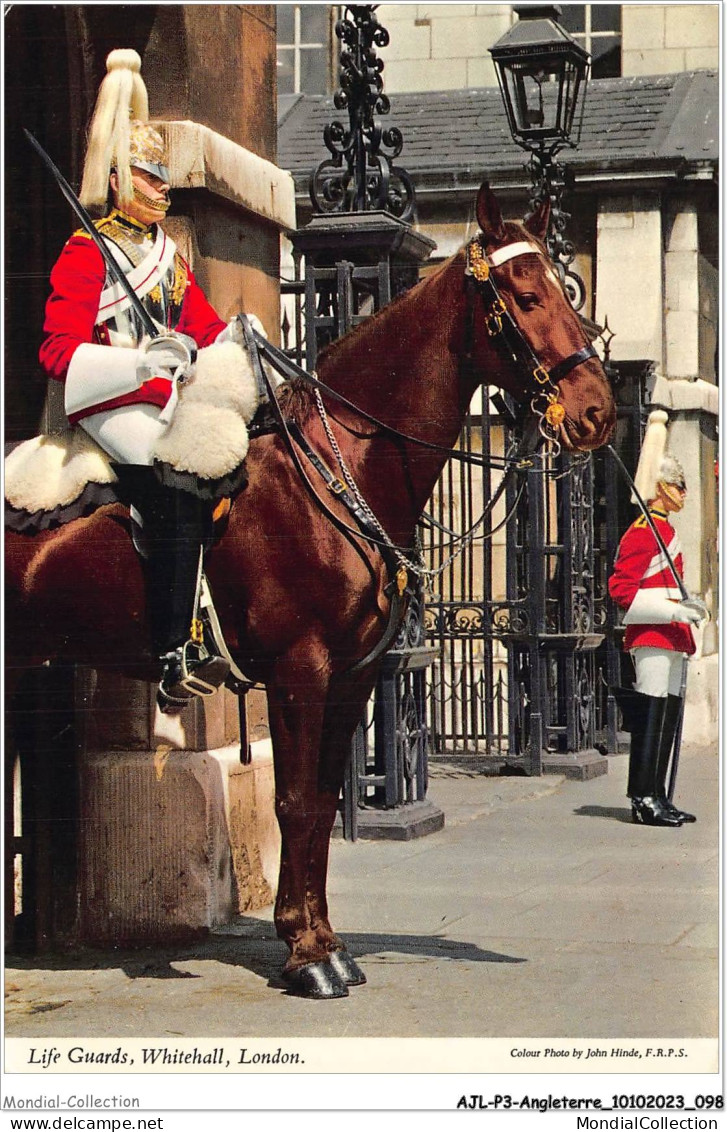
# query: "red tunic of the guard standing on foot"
{"type": "Point", "coordinates": [642, 565]}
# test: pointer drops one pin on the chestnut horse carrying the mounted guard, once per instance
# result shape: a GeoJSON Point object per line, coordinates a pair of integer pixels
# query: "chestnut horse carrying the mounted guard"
{"type": "Point", "coordinates": [301, 602]}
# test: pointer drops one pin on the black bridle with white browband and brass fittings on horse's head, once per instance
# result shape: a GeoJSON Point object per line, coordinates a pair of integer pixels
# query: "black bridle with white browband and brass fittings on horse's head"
{"type": "Point", "coordinates": [504, 330]}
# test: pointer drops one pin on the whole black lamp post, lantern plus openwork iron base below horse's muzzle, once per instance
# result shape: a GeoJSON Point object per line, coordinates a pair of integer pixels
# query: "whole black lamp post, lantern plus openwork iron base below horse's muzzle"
{"type": "Point", "coordinates": [553, 668]}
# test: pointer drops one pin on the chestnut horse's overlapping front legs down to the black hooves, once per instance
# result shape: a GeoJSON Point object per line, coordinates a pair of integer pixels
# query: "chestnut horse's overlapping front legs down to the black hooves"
{"type": "Point", "coordinates": [297, 701]}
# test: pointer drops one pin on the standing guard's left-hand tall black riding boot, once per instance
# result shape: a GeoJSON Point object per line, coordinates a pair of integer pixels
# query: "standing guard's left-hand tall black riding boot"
{"type": "Point", "coordinates": [646, 736]}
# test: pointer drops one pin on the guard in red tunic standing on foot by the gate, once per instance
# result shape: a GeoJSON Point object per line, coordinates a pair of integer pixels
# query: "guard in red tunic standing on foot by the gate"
{"type": "Point", "coordinates": [646, 585]}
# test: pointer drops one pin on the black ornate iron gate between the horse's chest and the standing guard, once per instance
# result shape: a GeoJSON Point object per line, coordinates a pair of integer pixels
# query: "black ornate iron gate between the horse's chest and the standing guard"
{"type": "Point", "coordinates": [528, 651]}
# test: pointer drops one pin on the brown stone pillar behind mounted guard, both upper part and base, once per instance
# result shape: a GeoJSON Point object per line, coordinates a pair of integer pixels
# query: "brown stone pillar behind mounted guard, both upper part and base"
{"type": "Point", "coordinates": [177, 836]}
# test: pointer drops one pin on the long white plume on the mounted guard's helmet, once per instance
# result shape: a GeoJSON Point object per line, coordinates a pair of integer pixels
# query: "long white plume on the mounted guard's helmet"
{"type": "Point", "coordinates": [123, 102]}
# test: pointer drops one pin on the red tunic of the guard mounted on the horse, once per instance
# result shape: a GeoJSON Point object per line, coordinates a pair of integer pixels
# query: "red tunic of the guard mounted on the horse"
{"type": "Point", "coordinates": [72, 314]}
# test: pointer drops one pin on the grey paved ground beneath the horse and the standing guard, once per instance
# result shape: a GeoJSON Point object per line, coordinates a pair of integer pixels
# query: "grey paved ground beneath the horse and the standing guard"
{"type": "Point", "coordinates": [538, 911]}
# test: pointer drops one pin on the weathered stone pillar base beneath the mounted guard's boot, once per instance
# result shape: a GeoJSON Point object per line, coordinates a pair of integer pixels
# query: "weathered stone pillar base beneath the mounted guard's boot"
{"type": "Point", "coordinates": [177, 836]}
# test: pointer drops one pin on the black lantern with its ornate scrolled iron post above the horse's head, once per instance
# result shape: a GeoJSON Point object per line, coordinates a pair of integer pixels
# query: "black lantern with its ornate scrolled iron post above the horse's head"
{"type": "Point", "coordinates": [543, 75]}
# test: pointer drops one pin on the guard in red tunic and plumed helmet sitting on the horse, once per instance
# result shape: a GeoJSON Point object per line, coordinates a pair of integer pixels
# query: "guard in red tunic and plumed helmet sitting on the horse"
{"type": "Point", "coordinates": [123, 387]}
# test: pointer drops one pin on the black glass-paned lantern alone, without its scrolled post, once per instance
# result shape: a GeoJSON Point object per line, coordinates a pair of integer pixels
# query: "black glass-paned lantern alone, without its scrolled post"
{"type": "Point", "coordinates": [542, 72]}
